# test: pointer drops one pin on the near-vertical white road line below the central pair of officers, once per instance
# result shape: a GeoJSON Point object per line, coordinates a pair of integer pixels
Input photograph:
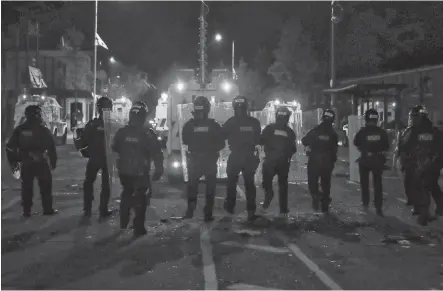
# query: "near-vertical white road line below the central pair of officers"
{"type": "Point", "coordinates": [209, 272]}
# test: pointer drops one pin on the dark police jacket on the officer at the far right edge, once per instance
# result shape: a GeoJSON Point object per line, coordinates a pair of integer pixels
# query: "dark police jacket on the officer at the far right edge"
{"type": "Point", "coordinates": [420, 142]}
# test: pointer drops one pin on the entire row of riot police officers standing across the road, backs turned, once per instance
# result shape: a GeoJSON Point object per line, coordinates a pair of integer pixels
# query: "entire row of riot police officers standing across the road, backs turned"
{"type": "Point", "coordinates": [136, 145]}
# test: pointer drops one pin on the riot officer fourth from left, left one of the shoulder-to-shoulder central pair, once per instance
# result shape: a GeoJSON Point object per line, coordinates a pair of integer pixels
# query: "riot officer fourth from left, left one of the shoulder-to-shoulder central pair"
{"type": "Point", "coordinates": [203, 137]}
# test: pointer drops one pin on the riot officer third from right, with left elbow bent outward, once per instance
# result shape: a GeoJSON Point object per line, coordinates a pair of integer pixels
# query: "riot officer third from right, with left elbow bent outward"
{"type": "Point", "coordinates": [322, 145]}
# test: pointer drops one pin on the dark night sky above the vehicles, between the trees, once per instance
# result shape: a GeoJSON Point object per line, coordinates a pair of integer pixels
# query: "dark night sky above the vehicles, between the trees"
{"type": "Point", "coordinates": [154, 35]}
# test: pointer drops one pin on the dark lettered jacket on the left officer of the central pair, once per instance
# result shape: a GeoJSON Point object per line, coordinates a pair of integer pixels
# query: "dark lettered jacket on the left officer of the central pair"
{"type": "Point", "coordinates": [203, 136]}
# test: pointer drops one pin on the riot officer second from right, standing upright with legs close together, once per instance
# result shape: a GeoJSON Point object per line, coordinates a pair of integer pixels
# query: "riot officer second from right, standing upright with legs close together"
{"type": "Point", "coordinates": [372, 142]}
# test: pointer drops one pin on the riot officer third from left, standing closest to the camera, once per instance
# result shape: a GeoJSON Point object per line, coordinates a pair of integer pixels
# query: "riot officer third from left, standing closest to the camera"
{"type": "Point", "coordinates": [136, 146]}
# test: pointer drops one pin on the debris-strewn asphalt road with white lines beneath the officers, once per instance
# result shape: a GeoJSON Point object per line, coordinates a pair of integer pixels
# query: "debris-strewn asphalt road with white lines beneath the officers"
{"type": "Point", "coordinates": [347, 249]}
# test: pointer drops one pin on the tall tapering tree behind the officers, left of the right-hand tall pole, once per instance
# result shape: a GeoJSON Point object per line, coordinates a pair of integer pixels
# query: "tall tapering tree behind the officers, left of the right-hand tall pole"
{"type": "Point", "coordinates": [295, 65]}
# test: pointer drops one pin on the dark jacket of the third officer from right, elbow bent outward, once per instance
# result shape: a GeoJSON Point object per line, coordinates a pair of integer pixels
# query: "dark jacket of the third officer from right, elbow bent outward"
{"type": "Point", "coordinates": [322, 139]}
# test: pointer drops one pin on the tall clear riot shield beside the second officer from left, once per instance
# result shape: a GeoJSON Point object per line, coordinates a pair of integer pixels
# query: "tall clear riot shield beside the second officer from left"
{"type": "Point", "coordinates": [110, 129]}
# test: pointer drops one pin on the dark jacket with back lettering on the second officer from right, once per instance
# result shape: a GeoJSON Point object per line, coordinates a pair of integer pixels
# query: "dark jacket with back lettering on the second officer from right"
{"type": "Point", "coordinates": [371, 140]}
